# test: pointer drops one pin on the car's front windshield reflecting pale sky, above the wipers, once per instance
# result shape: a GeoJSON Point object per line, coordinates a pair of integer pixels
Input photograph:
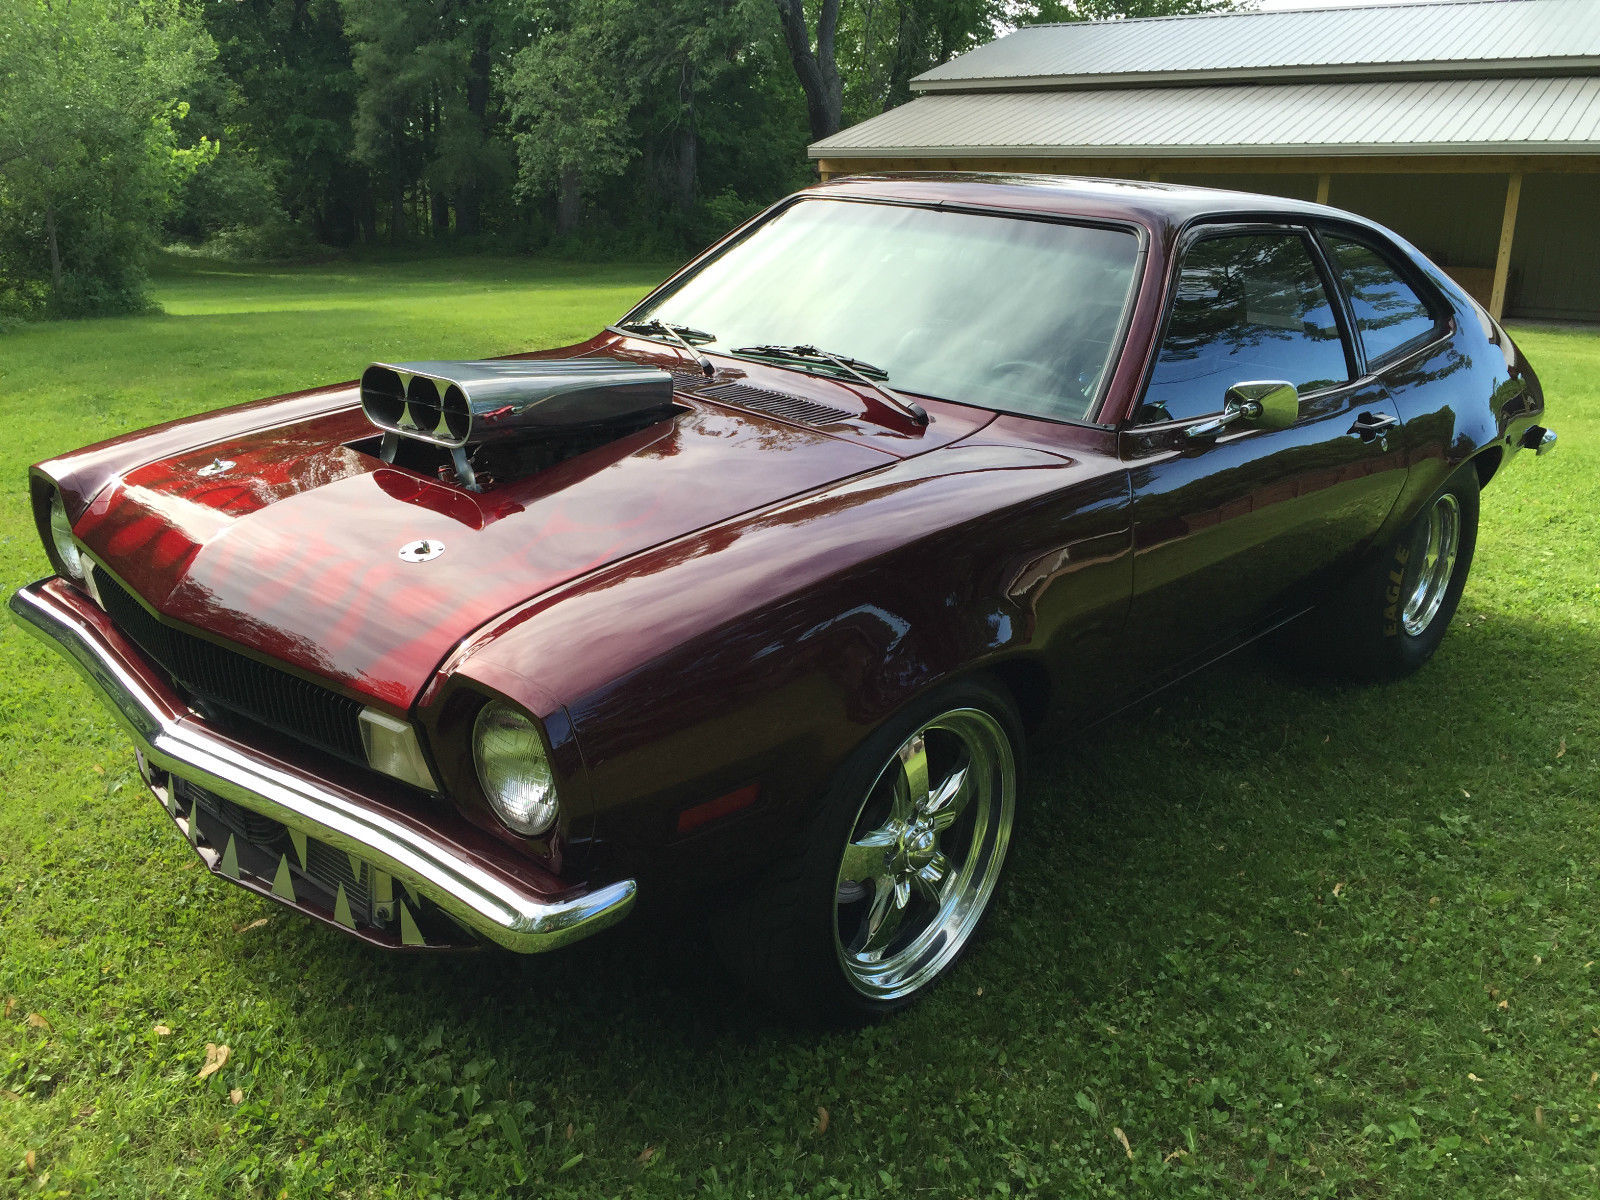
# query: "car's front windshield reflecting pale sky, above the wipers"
{"type": "Point", "coordinates": [998, 311]}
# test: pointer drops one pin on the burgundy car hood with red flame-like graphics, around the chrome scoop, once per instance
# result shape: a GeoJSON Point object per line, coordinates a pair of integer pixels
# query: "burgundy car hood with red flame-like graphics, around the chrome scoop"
{"type": "Point", "coordinates": [287, 543]}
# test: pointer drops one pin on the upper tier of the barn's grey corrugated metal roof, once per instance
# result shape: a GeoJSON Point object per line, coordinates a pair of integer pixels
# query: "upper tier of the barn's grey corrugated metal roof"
{"type": "Point", "coordinates": [1452, 36]}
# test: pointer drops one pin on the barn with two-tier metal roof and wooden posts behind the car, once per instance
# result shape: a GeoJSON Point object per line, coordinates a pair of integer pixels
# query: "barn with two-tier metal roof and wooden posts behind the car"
{"type": "Point", "coordinates": [1473, 127]}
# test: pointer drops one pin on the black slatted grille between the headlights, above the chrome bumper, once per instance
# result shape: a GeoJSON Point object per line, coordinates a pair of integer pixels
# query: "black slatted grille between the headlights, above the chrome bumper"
{"type": "Point", "coordinates": [238, 684]}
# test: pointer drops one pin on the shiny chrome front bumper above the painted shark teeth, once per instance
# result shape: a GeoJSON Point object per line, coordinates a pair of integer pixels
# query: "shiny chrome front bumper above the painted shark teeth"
{"type": "Point", "coordinates": [500, 905]}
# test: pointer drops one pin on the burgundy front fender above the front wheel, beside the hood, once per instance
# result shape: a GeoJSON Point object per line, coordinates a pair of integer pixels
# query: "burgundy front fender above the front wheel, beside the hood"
{"type": "Point", "coordinates": [764, 650]}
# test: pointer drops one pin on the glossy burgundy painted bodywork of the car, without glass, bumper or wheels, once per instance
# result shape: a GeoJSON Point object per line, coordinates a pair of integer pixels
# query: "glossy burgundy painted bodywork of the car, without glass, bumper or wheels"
{"type": "Point", "coordinates": [729, 601]}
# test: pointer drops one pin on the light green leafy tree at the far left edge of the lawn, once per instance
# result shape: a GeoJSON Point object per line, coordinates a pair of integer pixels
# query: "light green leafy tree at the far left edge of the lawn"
{"type": "Point", "coordinates": [92, 98]}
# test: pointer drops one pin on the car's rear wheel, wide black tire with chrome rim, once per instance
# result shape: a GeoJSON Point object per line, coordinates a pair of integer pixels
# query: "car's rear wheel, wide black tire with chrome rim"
{"type": "Point", "coordinates": [1391, 618]}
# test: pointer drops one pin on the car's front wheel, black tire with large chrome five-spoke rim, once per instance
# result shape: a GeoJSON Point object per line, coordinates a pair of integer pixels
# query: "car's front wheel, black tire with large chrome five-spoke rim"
{"type": "Point", "coordinates": [897, 871]}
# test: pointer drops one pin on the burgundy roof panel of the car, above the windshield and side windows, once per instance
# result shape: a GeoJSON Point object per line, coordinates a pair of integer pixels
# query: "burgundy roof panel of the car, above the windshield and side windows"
{"type": "Point", "coordinates": [1158, 206]}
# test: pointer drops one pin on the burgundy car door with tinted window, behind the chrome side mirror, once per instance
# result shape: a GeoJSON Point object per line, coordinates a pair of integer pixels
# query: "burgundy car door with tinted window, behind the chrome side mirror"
{"type": "Point", "coordinates": [1234, 529]}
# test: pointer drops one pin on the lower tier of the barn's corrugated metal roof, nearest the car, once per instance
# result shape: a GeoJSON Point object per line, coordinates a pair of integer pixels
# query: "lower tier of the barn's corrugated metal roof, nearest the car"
{"type": "Point", "coordinates": [1468, 116]}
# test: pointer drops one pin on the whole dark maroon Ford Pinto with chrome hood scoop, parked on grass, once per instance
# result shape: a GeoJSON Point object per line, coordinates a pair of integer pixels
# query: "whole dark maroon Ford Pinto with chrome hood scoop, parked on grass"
{"type": "Point", "coordinates": [758, 593]}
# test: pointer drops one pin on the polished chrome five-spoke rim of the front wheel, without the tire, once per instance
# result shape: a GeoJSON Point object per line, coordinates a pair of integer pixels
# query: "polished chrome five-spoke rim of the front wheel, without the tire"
{"type": "Point", "coordinates": [926, 854]}
